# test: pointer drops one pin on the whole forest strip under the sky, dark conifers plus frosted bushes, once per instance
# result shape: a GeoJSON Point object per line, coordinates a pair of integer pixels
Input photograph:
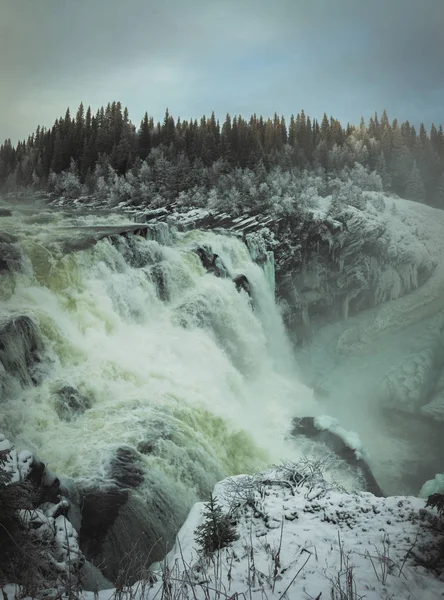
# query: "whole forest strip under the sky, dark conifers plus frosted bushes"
{"type": "Point", "coordinates": [157, 163]}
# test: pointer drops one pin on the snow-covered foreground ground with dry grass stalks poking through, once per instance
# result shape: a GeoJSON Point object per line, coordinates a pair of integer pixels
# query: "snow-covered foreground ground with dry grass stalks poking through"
{"type": "Point", "coordinates": [299, 538]}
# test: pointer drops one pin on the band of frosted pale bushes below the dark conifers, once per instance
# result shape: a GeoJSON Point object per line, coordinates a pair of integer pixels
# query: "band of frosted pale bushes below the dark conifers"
{"type": "Point", "coordinates": [278, 192]}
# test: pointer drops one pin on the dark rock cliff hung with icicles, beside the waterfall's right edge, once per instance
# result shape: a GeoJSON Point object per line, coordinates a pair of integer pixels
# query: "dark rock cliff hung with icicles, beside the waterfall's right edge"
{"type": "Point", "coordinates": [330, 268]}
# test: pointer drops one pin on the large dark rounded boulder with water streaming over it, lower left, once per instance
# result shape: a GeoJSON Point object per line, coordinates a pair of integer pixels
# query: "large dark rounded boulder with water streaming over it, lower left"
{"type": "Point", "coordinates": [132, 514]}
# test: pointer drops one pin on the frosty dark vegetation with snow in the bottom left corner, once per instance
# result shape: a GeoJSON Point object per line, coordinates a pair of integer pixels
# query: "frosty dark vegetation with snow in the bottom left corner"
{"type": "Point", "coordinates": [38, 545]}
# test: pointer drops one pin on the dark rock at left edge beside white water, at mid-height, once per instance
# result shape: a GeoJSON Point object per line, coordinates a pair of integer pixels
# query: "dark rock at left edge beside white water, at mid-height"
{"type": "Point", "coordinates": [21, 349]}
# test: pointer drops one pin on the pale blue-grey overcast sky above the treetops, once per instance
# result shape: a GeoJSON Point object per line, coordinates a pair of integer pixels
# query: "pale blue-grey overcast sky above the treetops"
{"type": "Point", "coordinates": [344, 57]}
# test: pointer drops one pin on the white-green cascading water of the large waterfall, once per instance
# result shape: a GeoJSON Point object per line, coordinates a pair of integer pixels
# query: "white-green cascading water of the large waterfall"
{"type": "Point", "coordinates": [147, 353]}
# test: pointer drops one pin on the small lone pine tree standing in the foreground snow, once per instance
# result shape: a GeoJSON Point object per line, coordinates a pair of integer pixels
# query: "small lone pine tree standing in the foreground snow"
{"type": "Point", "coordinates": [216, 531]}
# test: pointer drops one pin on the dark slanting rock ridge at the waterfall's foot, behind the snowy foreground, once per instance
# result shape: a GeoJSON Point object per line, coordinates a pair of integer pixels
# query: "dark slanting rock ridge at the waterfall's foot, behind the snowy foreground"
{"type": "Point", "coordinates": [305, 426]}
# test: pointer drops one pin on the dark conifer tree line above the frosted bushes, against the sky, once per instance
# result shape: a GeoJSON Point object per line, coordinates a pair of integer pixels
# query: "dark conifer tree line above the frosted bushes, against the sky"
{"type": "Point", "coordinates": [410, 163]}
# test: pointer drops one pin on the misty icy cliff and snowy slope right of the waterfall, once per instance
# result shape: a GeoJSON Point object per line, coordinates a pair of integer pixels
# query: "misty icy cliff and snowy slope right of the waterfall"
{"type": "Point", "coordinates": [366, 299]}
